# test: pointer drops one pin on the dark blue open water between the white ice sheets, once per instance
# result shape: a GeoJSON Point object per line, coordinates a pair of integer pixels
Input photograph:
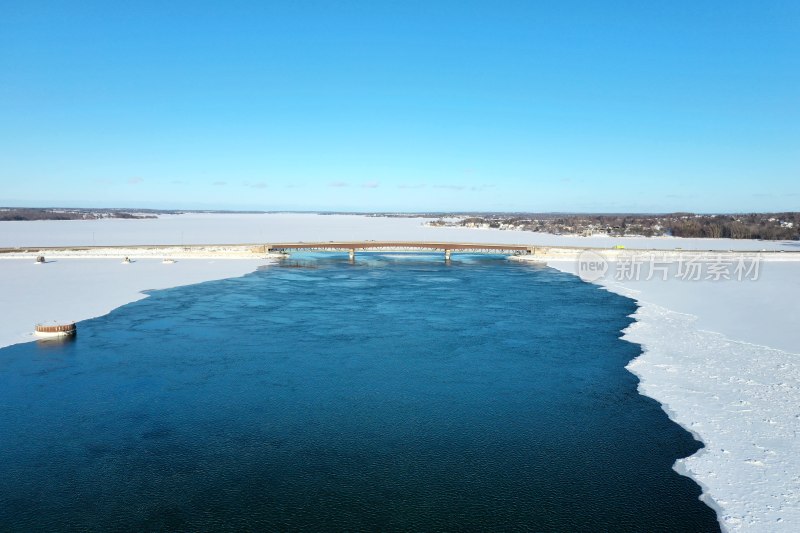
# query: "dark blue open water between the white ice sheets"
{"type": "Point", "coordinates": [393, 394]}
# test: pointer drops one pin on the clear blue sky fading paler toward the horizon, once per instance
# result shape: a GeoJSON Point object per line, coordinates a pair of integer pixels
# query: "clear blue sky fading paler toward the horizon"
{"type": "Point", "coordinates": [402, 105]}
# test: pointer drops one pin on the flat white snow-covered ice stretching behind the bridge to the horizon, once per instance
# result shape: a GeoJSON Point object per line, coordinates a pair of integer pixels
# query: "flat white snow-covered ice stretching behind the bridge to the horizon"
{"type": "Point", "coordinates": [199, 228]}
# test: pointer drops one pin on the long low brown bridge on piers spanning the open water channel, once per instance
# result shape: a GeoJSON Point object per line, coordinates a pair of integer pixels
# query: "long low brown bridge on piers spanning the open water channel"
{"type": "Point", "coordinates": [447, 247]}
